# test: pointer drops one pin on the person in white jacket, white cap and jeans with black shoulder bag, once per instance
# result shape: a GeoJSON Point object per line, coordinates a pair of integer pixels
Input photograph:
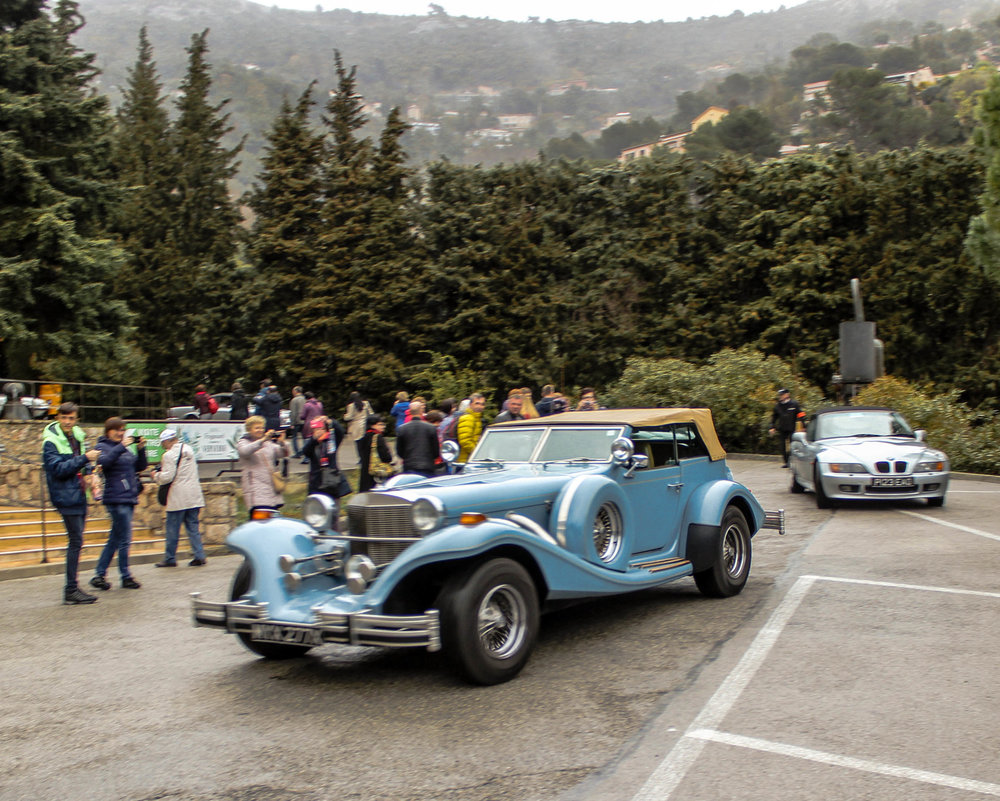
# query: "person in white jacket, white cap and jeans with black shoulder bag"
{"type": "Point", "coordinates": [179, 469]}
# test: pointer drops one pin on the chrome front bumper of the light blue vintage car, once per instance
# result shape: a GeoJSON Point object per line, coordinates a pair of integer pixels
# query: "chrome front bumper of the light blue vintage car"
{"type": "Point", "coordinates": [349, 628]}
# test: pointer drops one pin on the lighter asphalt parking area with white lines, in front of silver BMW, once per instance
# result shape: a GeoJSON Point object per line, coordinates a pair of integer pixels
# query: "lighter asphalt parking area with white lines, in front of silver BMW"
{"type": "Point", "coordinates": [876, 674]}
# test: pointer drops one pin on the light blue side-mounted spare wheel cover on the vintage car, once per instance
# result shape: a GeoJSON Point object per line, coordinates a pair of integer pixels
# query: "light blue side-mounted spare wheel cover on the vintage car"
{"type": "Point", "coordinates": [571, 521]}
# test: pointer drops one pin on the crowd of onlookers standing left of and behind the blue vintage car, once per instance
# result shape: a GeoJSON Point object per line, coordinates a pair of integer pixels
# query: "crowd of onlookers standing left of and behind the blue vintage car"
{"type": "Point", "coordinates": [110, 471]}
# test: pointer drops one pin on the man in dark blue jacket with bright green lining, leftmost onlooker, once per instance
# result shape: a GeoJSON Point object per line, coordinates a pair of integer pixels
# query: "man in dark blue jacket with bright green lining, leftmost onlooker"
{"type": "Point", "coordinates": [67, 467]}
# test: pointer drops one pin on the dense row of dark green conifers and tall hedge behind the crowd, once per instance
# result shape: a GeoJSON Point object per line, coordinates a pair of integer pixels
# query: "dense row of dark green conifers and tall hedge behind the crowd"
{"type": "Point", "coordinates": [122, 257]}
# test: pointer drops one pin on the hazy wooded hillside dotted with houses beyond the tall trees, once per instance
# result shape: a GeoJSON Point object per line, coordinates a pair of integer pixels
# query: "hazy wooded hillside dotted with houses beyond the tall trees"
{"type": "Point", "coordinates": [482, 91]}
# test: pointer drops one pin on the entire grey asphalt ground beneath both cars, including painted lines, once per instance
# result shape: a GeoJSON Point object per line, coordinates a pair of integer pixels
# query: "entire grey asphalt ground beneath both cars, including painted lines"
{"type": "Point", "coordinates": [859, 663]}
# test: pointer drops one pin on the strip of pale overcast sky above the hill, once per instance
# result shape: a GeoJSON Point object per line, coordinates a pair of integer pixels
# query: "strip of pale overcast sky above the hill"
{"type": "Point", "coordinates": [520, 10]}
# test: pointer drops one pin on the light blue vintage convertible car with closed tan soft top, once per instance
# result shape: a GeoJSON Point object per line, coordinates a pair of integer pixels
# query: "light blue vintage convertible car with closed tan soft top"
{"type": "Point", "coordinates": [546, 511]}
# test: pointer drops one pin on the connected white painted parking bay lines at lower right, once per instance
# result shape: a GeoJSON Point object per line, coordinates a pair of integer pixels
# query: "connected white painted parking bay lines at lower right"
{"type": "Point", "coordinates": [675, 766]}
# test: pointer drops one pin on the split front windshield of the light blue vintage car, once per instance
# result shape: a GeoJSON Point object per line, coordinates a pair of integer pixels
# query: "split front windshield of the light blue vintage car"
{"type": "Point", "coordinates": [558, 443]}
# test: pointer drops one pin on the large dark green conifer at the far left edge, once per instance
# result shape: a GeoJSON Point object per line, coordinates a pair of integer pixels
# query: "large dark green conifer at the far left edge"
{"type": "Point", "coordinates": [58, 268]}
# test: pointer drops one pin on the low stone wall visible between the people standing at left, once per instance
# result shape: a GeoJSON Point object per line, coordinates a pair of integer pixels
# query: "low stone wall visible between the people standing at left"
{"type": "Point", "coordinates": [22, 483]}
